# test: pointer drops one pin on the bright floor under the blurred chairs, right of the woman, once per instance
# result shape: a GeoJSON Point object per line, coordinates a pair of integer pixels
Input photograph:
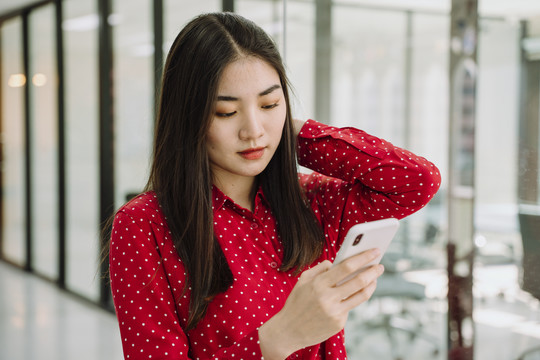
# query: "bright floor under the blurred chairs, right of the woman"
{"type": "Point", "coordinates": [506, 320]}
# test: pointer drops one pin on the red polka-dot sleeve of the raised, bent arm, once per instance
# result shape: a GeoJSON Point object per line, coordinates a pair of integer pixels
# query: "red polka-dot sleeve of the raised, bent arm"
{"type": "Point", "coordinates": [359, 177]}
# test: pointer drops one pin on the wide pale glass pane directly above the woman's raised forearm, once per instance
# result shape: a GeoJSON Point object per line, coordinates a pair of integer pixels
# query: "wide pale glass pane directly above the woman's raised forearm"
{"type": "Point", "coordinates": [368, 57]}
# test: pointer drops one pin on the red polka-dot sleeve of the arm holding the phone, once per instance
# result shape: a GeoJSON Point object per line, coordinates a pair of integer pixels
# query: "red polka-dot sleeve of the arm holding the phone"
{"type": "Point", "coordinates": [145, 304]}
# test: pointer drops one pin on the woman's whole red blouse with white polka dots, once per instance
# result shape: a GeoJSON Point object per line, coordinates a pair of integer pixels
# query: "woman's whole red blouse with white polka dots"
{"type": "Point", "coordinates": [365, 178]}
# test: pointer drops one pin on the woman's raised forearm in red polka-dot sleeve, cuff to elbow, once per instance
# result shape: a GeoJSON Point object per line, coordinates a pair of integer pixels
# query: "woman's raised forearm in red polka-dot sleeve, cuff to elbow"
{"type": "Point", "coordinates": [357, 157]}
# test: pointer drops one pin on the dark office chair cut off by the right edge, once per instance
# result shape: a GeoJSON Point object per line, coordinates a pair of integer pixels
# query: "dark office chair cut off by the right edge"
{"type": "Point", "coordinates": [529, 223]}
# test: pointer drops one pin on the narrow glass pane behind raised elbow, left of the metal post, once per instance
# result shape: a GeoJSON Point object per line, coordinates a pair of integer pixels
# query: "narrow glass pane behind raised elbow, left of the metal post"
{"type": "Point", "coordinates": [428, 126]}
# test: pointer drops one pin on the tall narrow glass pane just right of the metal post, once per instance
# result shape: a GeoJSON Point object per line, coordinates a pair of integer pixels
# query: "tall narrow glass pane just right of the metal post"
{"type": "Point", "coordinates": [496, 201]}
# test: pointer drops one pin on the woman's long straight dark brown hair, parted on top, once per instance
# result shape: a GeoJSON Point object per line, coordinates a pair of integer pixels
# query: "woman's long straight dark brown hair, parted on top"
{"type": "Point", "coordinates": [180, 174]}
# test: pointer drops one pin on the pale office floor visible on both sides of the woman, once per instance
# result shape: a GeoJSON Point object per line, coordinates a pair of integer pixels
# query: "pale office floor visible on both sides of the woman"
{"type": "Point", "coordinates": [37, 321]}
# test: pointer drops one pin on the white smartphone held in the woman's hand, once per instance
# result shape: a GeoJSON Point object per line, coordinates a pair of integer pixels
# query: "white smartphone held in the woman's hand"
{"type": "Point", "coordinates": [365, 236]}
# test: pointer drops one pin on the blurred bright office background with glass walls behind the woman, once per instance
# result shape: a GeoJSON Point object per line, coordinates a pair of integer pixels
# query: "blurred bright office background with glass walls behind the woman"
{"type": "Point", "coordinates": [78, 85]}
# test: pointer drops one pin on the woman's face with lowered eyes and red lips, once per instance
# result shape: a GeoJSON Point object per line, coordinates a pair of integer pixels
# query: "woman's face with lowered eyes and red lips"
{"type": "Point", "coordinates": [247, 125]}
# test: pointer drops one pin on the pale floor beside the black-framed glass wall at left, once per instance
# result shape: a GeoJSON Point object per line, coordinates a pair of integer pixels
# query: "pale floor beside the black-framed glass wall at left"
{"type": "Point", "coordinates": [37, 321]}
